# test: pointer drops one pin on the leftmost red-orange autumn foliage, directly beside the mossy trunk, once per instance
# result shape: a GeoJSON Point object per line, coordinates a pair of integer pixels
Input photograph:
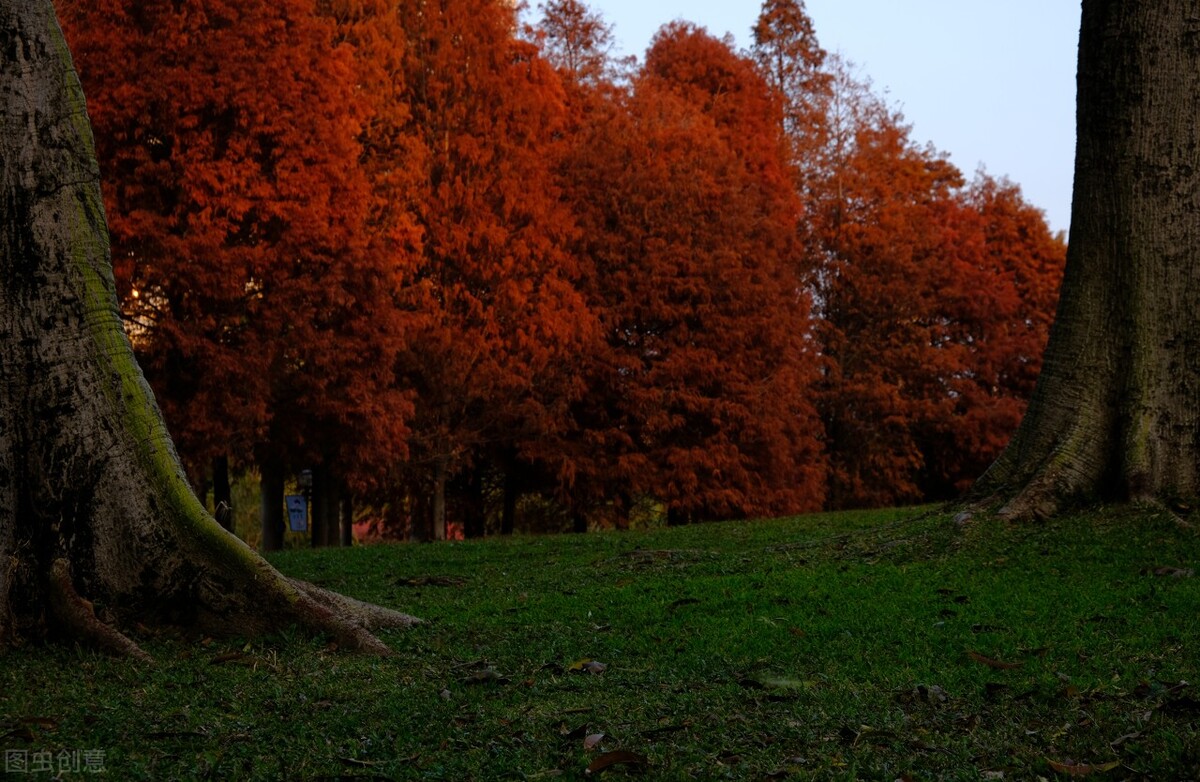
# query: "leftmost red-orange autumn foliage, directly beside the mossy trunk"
{"type": "Point", "coordinates": [261, 305]}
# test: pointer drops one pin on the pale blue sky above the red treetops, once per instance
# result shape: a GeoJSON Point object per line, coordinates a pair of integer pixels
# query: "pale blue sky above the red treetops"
{"type": "Point", "coordinates": [991, 83]}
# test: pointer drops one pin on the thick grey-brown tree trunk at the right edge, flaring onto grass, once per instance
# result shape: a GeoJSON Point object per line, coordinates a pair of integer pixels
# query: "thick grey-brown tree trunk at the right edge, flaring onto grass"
{"type": "Point", "coordinates": [1117, 412]}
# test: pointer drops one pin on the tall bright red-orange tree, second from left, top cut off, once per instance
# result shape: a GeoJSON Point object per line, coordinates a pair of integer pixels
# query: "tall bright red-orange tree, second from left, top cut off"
{"type": "Point", "coordinates": [500, 324]}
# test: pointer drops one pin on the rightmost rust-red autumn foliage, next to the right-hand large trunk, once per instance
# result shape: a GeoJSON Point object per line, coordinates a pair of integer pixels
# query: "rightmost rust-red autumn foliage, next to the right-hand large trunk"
{"type": "Point", "coordinates": [934, 303]}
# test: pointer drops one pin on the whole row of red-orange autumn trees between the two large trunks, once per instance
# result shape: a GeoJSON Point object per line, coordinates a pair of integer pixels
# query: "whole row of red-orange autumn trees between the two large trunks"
{"type": "Point", "coordinates": [479, 274]}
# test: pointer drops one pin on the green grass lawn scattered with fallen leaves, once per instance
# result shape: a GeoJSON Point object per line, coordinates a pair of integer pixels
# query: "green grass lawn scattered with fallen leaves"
{"type": "Point", "coordinates": [827, 647]}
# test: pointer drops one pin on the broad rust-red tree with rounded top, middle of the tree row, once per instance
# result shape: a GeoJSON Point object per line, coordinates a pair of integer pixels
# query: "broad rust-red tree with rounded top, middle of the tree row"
{"type": "Point", "coordinates": [698, 396]}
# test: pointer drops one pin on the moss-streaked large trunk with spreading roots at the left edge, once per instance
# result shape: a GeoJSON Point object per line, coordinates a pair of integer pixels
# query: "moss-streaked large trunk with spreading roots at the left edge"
{"type": "Point", "coordinates": [99, 527]}
